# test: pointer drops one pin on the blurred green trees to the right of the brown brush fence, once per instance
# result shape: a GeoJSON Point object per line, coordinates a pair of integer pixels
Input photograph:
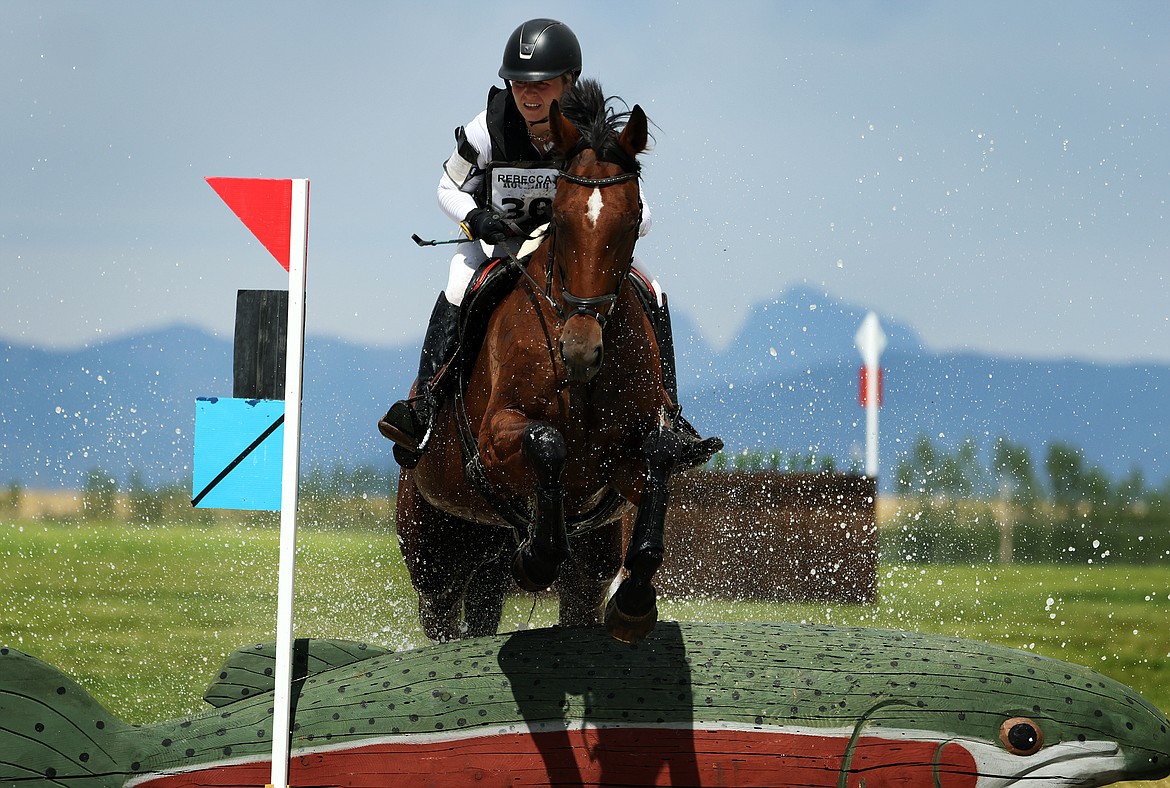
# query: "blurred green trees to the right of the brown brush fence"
{"type": "Point", "coordinates": [961, 506]}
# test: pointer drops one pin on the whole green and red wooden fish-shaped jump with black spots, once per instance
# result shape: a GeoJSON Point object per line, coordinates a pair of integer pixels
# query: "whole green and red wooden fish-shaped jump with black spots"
{"type": "Point", "coordinates": [694, 704]}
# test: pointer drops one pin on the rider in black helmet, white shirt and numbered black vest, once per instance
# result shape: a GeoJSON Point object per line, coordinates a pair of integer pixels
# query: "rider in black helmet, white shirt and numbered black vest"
{"type": "Point", "coordinates": [492, 185]}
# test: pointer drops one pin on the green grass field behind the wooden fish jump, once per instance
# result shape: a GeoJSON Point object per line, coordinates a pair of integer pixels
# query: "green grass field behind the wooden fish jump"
{"type": "Point", "coordinates": [143, 617]}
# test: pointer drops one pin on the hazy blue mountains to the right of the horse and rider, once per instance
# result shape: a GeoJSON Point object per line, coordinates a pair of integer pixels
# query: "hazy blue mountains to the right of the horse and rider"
{"type": "Point", "coordinates": [789, 382]}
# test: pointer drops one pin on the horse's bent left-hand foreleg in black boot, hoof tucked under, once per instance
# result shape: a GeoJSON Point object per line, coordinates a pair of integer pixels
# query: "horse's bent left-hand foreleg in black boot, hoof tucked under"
{"type": "Point", "coordinates": [539, 561]}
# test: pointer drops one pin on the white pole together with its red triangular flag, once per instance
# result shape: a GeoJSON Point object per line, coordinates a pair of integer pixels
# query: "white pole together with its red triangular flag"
{"type": "Point", "coordinates": [278, 215]}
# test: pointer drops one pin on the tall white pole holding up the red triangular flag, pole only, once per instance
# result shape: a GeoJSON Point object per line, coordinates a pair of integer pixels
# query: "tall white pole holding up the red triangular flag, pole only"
{"type": "Point", "coordinates": [294, 378]}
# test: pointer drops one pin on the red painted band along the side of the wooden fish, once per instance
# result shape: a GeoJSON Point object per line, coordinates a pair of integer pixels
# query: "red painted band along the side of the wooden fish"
{"type": "Point", "coordinates": [628, 757]}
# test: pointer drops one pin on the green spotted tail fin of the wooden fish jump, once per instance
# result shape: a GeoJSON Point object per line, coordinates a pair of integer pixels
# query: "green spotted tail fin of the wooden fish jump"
{"type": "Point", "coordinates": [54, 734]}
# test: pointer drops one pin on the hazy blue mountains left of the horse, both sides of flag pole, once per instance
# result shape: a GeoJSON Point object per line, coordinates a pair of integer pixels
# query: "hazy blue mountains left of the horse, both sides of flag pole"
{"type": "Point", "coordinates": [129, 406]}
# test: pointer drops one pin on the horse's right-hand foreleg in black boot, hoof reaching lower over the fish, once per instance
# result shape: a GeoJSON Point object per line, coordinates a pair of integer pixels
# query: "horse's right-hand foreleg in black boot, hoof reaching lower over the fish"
{"type": "Point", "coordinates": [632, 612]}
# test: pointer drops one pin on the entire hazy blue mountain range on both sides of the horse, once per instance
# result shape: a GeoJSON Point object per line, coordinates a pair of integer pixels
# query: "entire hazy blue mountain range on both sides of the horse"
{"type": "Point", "coordinates": [787, 383]}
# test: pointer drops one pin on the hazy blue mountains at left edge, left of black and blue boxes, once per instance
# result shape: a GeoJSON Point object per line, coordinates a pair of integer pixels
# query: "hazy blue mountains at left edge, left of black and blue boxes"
{"type": "Point", "coordinates": [120, 406]}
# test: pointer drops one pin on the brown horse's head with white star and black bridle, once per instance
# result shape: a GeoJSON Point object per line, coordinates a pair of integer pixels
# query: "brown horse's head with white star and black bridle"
{"type": "Point", "coordinates": [596, 216]}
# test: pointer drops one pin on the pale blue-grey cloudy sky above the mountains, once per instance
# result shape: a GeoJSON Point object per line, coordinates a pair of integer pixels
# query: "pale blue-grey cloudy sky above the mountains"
{"type": "Point", "coordinates": [995, 175]}
